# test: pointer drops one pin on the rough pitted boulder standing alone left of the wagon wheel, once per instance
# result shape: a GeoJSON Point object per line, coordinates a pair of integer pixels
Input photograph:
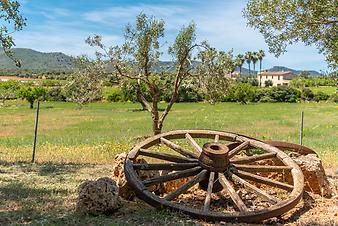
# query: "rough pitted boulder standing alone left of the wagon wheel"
{"type": "Point", "coordinates": [97, 197]}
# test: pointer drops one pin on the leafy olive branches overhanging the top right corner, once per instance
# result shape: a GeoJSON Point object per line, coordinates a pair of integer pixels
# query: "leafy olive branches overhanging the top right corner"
{"type": "Point", "coordinates": [285, 22]}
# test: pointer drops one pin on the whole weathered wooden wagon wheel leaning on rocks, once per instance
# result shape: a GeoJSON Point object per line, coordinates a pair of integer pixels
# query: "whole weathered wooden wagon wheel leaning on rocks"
{"type": "Point", "coordinates": [251, 188]}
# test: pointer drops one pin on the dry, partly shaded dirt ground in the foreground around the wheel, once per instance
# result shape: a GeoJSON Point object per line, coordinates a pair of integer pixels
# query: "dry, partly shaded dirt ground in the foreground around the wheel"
{"type": "Point", "coordinates": [45, 194]}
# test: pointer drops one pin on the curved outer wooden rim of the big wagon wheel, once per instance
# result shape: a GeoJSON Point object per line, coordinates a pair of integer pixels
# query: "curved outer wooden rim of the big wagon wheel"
{"type": "Point", "coordinates": [247, 216]}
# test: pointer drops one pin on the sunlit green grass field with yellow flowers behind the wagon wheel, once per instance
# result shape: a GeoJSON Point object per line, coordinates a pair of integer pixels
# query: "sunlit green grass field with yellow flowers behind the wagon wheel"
{"type": "Point", "coordinates": [95, 133]}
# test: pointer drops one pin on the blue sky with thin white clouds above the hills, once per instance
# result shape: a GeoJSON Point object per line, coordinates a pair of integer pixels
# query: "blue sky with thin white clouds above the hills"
{"type": "Point", "coordinates": [63, 25]}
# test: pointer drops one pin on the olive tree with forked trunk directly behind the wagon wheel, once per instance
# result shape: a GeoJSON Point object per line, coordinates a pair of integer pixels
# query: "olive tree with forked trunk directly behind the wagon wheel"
{"type": "Point", "coordinates": [138, 59]}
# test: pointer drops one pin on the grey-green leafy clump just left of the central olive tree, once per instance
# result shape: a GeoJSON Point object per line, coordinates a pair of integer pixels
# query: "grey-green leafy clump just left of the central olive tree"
{"type": "Point", "coordinates": [85, 84]}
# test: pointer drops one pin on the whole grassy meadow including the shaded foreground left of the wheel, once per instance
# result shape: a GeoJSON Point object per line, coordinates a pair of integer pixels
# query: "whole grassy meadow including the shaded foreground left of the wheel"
{"type": "Point", "coordinates": [78, 144]}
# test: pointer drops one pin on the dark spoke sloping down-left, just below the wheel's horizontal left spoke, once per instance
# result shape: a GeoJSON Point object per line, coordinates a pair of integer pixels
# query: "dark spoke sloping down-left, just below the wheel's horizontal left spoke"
{"type": "Point", "coordinates": [172, 176]}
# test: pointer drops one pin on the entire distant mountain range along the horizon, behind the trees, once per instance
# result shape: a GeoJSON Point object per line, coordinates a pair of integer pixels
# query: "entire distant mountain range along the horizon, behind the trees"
{"type": "Point", "coordinates": [57, 61]}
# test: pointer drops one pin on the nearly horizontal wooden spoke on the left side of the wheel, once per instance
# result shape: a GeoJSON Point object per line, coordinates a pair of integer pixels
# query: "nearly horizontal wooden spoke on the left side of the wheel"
{"type": "Point", "coordinates": [164, 166]}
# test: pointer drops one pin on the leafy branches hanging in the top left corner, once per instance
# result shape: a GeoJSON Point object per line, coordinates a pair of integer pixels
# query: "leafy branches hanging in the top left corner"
{"type": "Point", "coordinates": [11, 21]}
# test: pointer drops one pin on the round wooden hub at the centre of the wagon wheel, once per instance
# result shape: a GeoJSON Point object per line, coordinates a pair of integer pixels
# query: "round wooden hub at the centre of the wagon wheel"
{"type": "Point", "coordinates": [214, 157]}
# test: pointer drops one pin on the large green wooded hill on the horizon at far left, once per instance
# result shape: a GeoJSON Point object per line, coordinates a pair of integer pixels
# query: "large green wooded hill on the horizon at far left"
{"type": "Point", "coordinates": [34, 60]}
